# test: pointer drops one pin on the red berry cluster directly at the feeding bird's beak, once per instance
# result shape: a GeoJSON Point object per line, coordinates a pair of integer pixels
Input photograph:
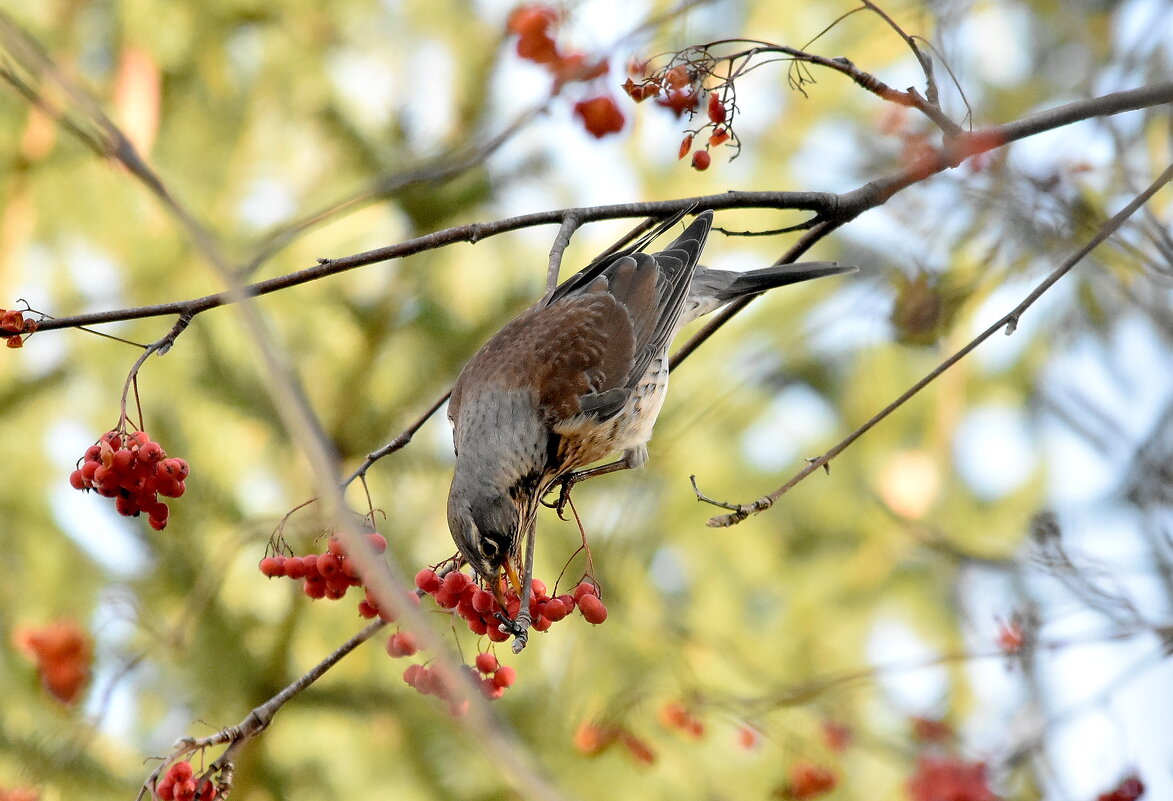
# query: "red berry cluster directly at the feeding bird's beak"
{"type": "Point", "coordinates": [480, 610]}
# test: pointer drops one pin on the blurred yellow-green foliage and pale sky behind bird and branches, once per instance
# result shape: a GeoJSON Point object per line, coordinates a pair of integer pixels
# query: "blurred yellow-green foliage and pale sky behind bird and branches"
{"type": "Point", "coordinates": [867, 599]}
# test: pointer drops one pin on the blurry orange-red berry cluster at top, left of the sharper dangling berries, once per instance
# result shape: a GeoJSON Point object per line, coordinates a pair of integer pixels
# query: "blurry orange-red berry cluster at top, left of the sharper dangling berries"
{"type": "Point", "coordinates": [537, 28]}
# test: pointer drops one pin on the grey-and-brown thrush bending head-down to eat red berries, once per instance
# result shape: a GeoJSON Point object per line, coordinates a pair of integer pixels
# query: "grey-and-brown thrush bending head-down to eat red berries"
{"type": "Point", "coordinates": [580, 376]}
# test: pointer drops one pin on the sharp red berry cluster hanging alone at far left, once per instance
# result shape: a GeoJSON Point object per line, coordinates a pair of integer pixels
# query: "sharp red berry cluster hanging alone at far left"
{"type": "Point", "coordinates": [133, 471]}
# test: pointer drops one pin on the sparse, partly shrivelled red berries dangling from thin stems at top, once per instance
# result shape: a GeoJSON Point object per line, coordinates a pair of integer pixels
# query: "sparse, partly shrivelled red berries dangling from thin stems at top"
{"type": "Point", "coordinates": [681, 87]}
